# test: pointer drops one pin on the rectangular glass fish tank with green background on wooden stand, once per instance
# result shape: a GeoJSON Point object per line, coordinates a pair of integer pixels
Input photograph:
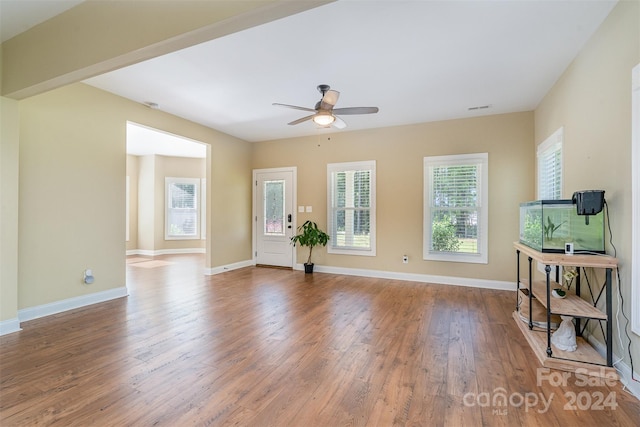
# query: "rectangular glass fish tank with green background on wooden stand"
{"type": "Point", "coordinates": [548, 225]}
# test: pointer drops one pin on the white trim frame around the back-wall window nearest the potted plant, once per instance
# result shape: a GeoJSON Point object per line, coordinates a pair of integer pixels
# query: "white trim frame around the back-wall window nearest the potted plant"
{"type": "Point", "coordinates": [369, 165]}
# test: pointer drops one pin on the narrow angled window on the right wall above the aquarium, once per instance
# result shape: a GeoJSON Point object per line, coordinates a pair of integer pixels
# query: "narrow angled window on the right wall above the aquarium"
{"type": "Point", "coordinates": [550, 167]}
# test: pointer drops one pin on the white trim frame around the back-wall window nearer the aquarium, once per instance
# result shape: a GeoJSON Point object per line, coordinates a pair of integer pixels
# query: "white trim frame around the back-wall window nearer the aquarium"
{"type": "Point", "coordinates": [481, 159]}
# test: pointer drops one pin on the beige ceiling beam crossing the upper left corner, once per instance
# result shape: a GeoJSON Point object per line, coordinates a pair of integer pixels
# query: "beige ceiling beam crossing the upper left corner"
{"type": "Point", "coordinates": [101, 36]}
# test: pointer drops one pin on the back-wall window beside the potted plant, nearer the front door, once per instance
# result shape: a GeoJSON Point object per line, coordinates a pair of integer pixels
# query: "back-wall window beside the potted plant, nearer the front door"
{"type": "Point", "coordinates": [352, 208]}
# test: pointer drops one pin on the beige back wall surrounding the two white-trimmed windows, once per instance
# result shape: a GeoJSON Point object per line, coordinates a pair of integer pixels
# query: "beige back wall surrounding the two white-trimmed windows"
{"type": "Point", "coordinates": [399, 153]}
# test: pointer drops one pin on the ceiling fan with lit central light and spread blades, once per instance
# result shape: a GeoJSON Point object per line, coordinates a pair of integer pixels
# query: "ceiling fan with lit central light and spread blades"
{"type": "Point", "coordinates": [324, 114]}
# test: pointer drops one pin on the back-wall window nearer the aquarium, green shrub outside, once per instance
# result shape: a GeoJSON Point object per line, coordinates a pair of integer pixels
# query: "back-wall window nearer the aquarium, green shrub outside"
{"type": "Point", "coordinates": [456, 208]}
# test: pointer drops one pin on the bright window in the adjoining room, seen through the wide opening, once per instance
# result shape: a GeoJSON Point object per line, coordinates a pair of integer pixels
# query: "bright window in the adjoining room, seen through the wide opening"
{"type": "Point", "coordinates": [182, 203]}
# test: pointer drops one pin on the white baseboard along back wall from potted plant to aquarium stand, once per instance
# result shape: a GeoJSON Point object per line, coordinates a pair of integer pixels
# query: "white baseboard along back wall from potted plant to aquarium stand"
{"type": "Point", "coordinates": [414, 277]}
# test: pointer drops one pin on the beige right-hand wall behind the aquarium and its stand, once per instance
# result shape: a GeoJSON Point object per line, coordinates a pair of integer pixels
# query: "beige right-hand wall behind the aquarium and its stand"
{"type": "Point", "coordinates": [592, 101]}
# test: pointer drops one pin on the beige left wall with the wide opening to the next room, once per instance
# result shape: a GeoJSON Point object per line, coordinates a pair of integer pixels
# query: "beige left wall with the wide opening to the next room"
{"type": "Point", "coordinates": [72, 191]}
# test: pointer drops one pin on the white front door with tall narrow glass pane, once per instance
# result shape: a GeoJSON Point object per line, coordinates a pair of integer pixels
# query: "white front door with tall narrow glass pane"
{"type": "Point", "coordinates": [274, 217]}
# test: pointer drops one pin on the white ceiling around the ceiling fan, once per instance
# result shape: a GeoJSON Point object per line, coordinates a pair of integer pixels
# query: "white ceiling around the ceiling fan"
{"type": "Point", "coordinates": [418, 61]}
